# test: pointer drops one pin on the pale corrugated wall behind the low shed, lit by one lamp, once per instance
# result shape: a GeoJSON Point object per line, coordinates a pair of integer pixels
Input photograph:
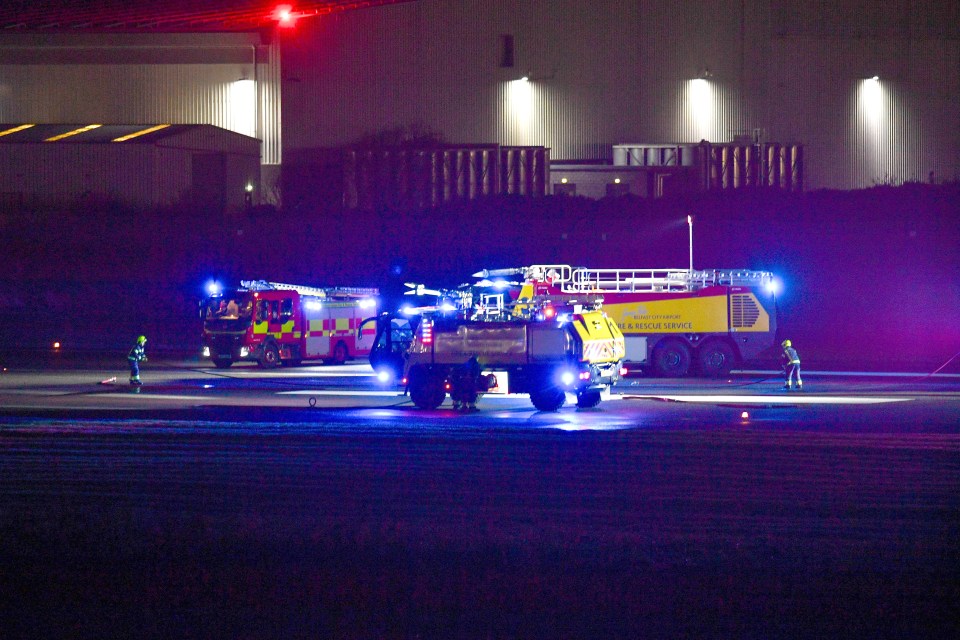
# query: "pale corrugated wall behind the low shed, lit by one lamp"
{"type": "Point", "coordinates": [131, 79]}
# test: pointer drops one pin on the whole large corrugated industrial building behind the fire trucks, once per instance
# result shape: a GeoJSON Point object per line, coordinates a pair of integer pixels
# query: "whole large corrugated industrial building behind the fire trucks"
{"type": "Point", "coordinates": [672, 95]}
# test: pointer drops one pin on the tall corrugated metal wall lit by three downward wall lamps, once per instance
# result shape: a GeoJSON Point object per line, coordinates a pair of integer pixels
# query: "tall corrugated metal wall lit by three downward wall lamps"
{"type": "Point", "coordinates": [646, 71]}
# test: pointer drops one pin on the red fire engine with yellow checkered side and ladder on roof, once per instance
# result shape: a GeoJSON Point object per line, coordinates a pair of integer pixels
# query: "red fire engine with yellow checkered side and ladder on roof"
{"type": "Point", "coordinates": [274, 323]}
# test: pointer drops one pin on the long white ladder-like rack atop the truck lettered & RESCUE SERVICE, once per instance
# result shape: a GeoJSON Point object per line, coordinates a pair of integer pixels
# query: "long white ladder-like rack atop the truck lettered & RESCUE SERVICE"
{"type": "Point", "coordinates": [585, 280]}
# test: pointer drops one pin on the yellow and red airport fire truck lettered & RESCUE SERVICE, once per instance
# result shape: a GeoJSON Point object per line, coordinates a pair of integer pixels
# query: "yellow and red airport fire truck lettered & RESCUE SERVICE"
{"type": "Point", "coordinates": [675, 322]}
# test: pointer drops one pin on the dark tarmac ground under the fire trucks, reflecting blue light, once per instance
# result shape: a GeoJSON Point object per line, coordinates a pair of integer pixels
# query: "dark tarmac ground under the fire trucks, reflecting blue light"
{"type": "Point", "coordinates": [311, 503]}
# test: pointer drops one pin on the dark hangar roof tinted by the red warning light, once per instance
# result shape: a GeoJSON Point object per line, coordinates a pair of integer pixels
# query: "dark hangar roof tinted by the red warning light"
{"type": "Point", "coordinates": [21, 16]}
